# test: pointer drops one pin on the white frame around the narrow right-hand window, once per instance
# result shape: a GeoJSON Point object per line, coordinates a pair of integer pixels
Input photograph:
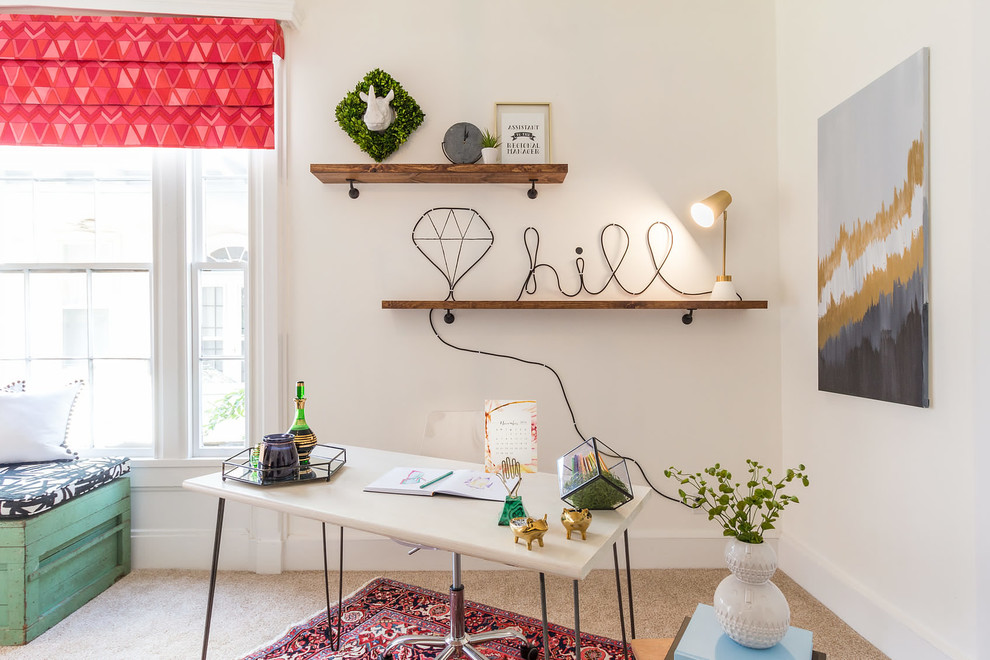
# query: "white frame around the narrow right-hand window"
{"type": "Point", "coordinates": [176, 361]}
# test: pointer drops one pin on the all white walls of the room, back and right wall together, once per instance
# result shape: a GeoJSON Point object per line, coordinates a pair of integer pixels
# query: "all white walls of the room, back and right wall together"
{"type": "Point", "coordinates": [728, 94]}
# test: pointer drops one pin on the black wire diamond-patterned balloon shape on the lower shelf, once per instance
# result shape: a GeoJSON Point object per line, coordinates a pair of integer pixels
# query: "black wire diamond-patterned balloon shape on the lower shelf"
{"type": "Point", "coordinates": [454, 240]}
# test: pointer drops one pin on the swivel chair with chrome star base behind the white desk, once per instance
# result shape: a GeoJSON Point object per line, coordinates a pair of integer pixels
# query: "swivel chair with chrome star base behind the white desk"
{"type": "Point", "coordinates": [460, 436]}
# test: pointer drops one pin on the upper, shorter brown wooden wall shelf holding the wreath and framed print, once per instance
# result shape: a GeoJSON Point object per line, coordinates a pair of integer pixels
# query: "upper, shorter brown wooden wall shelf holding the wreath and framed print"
{"type": "Point", "coordinates": [439, 173]}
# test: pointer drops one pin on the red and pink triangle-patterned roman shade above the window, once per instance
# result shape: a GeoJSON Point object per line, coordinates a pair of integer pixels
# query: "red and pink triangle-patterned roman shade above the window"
{"type": "Point", "coordinates": [109, 81]}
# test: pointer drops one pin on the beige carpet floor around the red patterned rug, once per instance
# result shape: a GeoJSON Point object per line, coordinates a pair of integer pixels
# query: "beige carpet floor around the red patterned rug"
{"type": "Point", "coordinates": [160, 614]}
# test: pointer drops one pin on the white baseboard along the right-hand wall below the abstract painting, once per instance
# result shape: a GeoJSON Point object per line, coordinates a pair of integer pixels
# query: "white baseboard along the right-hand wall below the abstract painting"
{"type": "Point", "coordinates": [878, 620]}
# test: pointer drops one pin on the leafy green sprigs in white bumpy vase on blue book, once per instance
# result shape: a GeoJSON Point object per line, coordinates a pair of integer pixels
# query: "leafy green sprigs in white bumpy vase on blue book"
{"type": "Point", "coordinates": [750, 608]}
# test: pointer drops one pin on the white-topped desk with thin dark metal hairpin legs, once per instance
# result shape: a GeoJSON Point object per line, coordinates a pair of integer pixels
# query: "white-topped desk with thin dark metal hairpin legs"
{"type": "Point", "coordinates": [461, 525]}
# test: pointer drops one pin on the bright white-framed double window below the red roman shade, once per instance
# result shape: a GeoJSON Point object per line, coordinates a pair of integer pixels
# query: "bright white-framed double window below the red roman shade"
{"type": "Point", "coordinates": [109, 258]}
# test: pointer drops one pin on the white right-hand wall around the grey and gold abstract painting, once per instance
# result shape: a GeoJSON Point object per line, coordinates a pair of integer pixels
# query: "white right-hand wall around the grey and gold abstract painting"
{"type": "Point", "coordinates": [885, 535]}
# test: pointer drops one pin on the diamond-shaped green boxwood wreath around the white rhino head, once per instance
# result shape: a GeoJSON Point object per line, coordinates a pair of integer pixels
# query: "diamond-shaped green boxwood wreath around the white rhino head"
{"type": "Point", "coordinates": [350, 115]}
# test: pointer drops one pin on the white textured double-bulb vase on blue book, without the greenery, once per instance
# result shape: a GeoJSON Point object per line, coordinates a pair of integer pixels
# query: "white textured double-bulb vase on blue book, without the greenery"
{"type": "Point", "coordinates": [751, 610]}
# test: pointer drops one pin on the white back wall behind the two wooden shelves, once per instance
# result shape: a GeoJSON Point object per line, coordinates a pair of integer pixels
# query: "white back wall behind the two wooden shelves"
{"type": "Point", "coordinates": [654, 107]}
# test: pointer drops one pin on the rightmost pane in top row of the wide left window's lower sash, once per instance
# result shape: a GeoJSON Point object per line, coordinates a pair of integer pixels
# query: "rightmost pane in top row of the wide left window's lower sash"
{"type": "Point", "coordinates": [122, 314]}
